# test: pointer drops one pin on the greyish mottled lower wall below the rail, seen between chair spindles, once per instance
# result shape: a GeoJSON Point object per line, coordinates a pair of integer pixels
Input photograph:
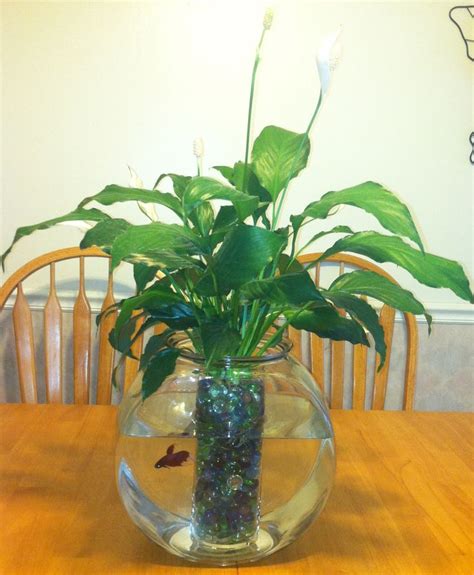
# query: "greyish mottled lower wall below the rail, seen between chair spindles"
{"type": "Point", "coordinates": [445, 380]}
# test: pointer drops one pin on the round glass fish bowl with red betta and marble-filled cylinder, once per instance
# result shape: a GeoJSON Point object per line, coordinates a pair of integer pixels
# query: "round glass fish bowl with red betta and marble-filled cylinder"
{"type": "Point", "coordinates": [228, 463]}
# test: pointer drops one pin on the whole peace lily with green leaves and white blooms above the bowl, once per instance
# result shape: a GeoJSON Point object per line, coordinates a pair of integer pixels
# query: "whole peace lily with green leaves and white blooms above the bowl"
{"type": "Point", "coordinates": [229, 276]}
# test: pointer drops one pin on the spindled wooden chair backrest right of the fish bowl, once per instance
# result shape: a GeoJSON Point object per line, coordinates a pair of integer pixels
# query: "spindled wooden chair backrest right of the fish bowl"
{"type": "Point", "coordinates": [334, 388]}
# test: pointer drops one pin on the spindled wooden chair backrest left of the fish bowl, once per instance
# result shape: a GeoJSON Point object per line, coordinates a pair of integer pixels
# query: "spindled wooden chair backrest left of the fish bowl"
{"type": "Point", "coordinates": [53, 334]}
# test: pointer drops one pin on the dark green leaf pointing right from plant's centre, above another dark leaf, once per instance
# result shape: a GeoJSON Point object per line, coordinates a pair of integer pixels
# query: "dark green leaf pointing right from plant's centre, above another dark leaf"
{"type": "Point", "coordinates": [295, 289]}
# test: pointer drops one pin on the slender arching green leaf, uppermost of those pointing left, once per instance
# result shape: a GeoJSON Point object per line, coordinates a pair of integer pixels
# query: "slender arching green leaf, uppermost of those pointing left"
{"type": "Point", "coordinates": [113, 194]}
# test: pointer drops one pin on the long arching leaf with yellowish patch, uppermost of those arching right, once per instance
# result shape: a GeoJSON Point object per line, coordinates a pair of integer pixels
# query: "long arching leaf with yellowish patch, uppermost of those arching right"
{"type": "Point", "coordinates": [392, 214]}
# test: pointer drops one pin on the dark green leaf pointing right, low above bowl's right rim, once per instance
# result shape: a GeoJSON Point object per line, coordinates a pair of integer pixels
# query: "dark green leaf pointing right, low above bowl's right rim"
{"type": "Point", "coordinates": [326, 322]}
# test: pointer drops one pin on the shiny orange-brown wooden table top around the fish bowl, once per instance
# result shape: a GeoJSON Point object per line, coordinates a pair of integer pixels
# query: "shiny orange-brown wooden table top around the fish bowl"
{"type": "Point", "coordinates": [402, 501]}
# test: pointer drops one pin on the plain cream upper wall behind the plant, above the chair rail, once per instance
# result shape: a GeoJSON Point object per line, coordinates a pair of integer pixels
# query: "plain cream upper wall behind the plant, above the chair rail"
{"type": "Point", "coordinates": [89, 87]}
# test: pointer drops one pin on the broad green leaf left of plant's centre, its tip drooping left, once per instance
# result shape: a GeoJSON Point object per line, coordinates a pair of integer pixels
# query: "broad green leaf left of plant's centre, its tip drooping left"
{"type": "Point", "coordinates": [138, 241]}
